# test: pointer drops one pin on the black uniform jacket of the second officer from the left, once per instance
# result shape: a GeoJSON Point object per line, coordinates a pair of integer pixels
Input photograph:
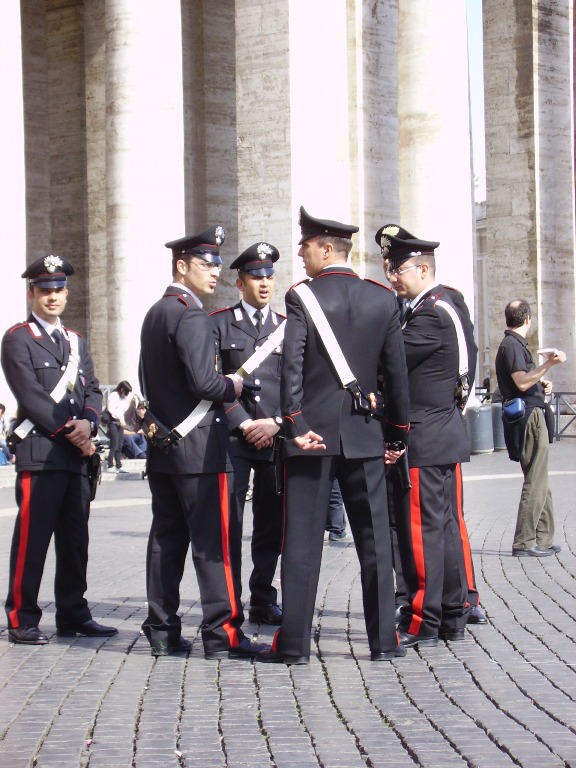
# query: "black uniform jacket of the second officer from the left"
{"type": "Point", "coordinates": [178, 368]}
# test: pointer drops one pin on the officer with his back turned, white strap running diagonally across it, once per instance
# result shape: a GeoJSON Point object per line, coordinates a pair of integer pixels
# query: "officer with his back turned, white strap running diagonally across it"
{"type": "Point", "coordinates": [328, 437]}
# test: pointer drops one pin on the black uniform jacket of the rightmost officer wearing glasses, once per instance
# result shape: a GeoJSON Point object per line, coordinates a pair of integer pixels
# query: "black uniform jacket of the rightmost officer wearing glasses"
{"type": "Point", "coordinates": [437, 433]}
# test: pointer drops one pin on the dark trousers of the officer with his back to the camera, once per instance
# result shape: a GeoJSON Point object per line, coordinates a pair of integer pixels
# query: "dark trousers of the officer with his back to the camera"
{"type": "Point", "coordinates": [308, 486]}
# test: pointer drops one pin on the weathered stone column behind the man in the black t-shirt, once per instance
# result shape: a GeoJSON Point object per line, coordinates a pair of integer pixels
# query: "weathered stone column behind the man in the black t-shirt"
{"type": "Point", "coordinates": [530, 171]}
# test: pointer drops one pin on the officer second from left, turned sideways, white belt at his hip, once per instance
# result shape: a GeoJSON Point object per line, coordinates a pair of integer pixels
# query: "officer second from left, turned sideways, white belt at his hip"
{"type": "Point", "coordinates": [191, 480]}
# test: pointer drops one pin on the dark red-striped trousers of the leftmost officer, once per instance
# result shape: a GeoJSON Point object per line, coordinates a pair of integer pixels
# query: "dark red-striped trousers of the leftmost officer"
{"type": "Point", "coordinates": [49, 503]}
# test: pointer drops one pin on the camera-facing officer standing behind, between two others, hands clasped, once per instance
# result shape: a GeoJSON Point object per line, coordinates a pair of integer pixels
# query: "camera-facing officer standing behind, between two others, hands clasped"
{"type": "Point", "coordinates": [254, 419]}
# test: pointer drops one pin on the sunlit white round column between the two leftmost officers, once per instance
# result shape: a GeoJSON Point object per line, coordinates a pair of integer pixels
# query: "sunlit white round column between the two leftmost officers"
{"type": "Point", "coordinates": [144, 166]}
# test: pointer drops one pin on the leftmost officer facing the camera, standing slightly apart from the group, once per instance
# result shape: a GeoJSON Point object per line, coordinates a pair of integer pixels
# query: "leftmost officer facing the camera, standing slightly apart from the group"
{"type": "Point", "coordinates": [50, 372]}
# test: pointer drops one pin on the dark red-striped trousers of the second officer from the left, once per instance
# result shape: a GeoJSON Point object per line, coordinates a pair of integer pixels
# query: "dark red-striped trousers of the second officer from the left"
{"type": "Point", "coordinates": [198, 510]}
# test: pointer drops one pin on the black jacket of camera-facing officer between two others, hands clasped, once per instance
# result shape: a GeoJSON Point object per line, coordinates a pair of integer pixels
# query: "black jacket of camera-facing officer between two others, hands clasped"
{"type": "Point", "coordinates": [237, 339]}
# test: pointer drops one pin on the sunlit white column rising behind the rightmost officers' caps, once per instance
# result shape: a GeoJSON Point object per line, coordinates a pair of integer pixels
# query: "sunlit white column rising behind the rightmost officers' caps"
{"type": "Point", "coordinates": [436, 189]}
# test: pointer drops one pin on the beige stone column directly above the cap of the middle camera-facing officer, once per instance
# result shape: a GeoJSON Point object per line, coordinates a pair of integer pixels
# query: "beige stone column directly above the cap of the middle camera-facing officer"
{"type": "Point", "coordinates": [265, 206]}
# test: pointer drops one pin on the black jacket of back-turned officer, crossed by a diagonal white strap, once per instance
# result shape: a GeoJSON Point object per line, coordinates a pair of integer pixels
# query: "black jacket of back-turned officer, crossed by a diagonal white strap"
{"type": "Point", "coordinates": [364, 317]}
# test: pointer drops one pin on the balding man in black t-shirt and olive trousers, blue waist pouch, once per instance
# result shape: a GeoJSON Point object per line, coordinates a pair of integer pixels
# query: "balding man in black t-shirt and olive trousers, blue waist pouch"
{"type": "Point", "coordinates": [527, 439]}
